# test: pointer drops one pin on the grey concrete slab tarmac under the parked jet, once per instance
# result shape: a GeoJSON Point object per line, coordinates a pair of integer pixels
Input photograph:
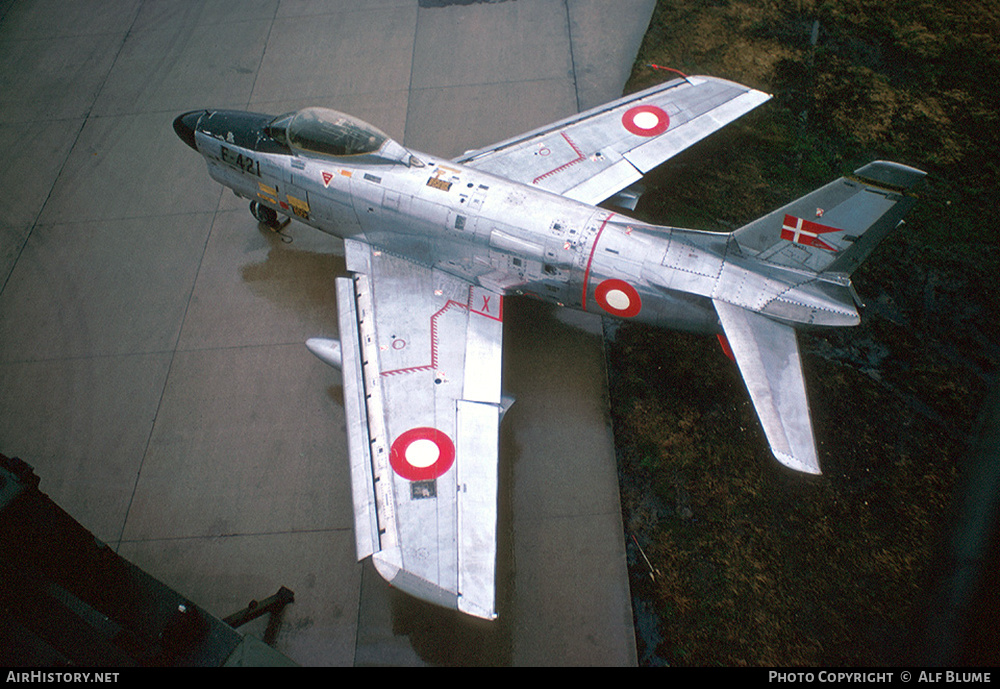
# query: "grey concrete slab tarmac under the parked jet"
{"type": "Point", "coordinates": [152, 366]}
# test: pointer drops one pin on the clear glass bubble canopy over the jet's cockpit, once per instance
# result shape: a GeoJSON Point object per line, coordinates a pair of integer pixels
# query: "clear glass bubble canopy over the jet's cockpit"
{"type": "Point", "coordinates": [326, 132]}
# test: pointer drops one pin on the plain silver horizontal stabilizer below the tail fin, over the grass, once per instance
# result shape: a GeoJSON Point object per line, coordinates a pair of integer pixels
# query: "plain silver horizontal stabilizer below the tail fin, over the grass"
{"type": "Point", "coordinates": [767, 353]}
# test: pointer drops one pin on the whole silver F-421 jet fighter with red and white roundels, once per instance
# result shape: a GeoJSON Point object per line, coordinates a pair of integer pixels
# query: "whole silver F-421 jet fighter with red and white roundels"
{"type": "Point", "coordinates": [434, 246]}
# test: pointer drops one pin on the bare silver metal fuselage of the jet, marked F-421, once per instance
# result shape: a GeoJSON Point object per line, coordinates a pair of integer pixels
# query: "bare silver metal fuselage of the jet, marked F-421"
{"type": "Point", "coordinates": [517, 239]}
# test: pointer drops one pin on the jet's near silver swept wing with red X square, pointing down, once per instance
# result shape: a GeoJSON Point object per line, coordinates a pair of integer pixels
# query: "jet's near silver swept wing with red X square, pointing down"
{"type": "Point", "coordinates": [421, 363]}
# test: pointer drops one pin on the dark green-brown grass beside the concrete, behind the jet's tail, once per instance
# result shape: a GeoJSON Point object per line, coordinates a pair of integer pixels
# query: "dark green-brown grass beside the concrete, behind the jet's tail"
{"type": "Point", "coordinates": [755, 565]}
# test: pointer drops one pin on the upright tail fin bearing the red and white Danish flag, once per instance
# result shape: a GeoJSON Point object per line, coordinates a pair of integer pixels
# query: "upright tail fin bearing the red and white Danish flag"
{"type": "Point", "coordinates": [836, 227]}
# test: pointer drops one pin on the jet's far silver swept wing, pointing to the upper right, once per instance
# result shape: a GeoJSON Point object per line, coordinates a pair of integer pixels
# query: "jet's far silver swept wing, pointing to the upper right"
{"type": "Point", "coordinates": [594, 155]}
